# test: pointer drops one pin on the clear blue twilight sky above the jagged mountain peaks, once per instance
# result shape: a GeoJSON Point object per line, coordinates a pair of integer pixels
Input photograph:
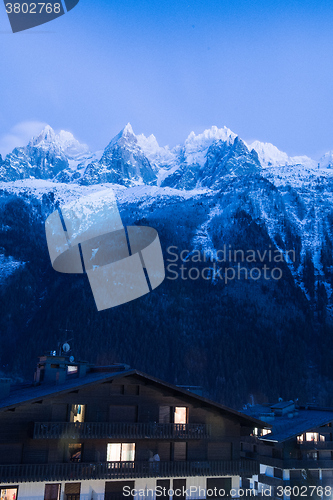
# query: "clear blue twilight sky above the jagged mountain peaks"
{"type": "Point", "coordinates": [263, 68]}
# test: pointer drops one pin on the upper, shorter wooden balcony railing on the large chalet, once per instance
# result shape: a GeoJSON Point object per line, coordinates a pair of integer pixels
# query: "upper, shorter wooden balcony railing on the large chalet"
{"type": "Point", "coordinates": [122, 430]}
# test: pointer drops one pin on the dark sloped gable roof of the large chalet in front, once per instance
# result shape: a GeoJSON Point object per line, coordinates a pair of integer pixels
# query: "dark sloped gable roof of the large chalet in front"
{"type": "Point", "coordinates": [19, 396]}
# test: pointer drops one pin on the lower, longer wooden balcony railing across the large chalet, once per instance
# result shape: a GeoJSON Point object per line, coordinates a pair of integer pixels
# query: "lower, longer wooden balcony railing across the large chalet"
{"type": "Point", "coordinates": [119, 470]}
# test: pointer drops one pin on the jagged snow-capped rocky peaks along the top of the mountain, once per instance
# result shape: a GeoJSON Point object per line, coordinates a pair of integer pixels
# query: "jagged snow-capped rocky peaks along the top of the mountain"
{"type": "Point", "coordinates": [131, 159]}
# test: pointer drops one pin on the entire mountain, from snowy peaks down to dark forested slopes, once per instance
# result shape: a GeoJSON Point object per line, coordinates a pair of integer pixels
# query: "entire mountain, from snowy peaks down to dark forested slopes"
{"type": "Point", "coordinates": [240, 339]}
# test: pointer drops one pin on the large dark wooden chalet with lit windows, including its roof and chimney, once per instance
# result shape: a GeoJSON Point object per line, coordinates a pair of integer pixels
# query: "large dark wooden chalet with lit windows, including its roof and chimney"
{"type": "Point", "coordinates": [83, 432]}
